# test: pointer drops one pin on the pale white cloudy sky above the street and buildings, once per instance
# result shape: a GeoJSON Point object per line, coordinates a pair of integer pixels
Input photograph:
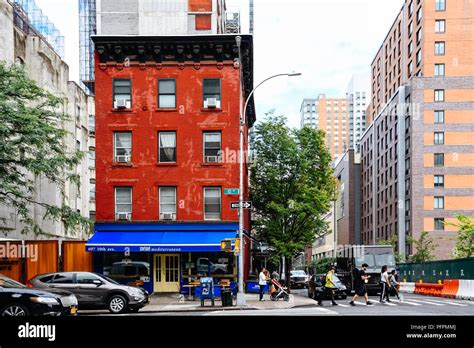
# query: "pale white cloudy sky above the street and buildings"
{"type": "Point", "coordinates": [326, 40]}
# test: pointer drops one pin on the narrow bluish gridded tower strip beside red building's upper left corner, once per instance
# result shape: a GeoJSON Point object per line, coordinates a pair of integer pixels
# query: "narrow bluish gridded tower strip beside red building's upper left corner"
{"type": "Point", "coordinates": [87, 27]}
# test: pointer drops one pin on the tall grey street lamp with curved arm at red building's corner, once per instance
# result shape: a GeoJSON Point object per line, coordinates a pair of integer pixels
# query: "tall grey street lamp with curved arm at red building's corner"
{"type": "Point", "coordinates": [240, 294]}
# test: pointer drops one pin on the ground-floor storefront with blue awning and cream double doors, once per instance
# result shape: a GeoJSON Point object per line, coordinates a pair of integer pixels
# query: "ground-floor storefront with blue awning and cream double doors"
{"type": "Point", "coordinates": [166, 257]}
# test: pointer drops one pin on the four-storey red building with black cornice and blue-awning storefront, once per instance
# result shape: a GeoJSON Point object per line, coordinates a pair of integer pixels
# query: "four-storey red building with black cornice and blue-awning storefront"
{"type": "Point", "coordinates": [167, 139]}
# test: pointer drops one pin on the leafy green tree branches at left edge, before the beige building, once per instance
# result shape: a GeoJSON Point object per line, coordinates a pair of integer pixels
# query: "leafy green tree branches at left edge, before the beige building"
{"type": "Point", "coordinates": [31, 147]}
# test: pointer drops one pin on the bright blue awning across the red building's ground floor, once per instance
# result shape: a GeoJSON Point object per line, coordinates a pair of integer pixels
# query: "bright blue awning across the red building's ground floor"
{"type": "Point", "coordinates": [159, 238]}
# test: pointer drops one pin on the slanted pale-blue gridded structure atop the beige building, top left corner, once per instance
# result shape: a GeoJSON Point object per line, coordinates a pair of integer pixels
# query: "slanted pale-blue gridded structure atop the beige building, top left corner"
{"type": "Point", "coordinates": [41, 23]}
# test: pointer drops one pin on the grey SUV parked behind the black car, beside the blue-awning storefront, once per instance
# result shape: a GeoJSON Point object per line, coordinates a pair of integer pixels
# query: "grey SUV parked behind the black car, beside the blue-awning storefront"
{"type": "Point", "coordinates": [95, 291]}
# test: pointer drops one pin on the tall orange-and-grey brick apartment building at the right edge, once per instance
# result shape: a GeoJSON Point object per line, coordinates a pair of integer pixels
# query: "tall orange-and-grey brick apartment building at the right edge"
{"type": "Point", "coordinates": [418, 151]}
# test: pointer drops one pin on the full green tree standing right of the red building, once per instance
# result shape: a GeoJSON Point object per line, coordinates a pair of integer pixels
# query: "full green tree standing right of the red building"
{"type": "Point", "coordinates": [292, 187]}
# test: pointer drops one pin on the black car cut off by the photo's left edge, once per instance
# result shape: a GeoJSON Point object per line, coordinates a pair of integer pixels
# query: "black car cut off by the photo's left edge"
{"type": "Point", "coordinates": [18, 300]}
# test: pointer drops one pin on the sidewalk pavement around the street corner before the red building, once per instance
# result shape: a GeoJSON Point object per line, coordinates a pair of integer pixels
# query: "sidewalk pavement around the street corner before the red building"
{"type": "Point", "coordinates": [175, 303]}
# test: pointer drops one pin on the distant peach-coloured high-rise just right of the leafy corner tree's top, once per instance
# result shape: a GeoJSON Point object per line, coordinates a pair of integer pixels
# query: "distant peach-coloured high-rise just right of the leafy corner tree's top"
{"type": "Point", "coordinates": [330, 115]}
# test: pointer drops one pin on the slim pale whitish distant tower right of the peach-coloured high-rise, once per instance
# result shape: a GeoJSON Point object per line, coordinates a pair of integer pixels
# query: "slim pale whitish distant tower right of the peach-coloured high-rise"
{"type": "Point", "coordinates": [358, 94]}
